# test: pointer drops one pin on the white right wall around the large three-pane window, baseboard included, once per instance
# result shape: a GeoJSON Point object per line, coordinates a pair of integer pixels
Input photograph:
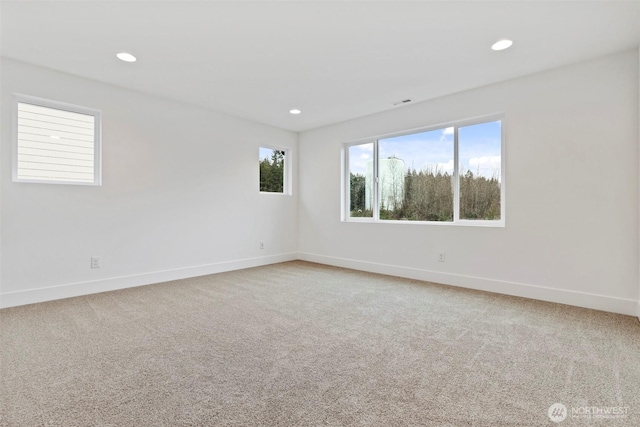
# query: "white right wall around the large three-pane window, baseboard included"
{"type": "Point", "coordinates": [572, 185]}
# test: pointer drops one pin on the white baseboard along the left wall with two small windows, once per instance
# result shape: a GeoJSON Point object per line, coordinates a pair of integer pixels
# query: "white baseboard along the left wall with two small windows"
{"type": "Point", "coordinates": [31, 296]}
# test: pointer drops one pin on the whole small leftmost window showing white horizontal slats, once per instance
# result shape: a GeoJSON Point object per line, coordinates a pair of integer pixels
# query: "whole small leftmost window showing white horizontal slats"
{"type": "Point", "coordinates": [56, 142]}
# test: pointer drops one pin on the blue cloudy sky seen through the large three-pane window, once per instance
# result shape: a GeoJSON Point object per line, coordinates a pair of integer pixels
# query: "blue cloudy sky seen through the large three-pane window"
{"type": "Point", "coordinates": [479, 150]}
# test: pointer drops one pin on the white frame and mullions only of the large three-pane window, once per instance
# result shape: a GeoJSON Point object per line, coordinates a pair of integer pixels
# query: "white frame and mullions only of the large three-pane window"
{"type": "Point", "coordinates": [345, 175]}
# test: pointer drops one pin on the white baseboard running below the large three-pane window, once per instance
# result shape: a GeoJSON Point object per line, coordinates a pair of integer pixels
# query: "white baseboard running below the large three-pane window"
{"type": "Point", "coordinates": [580, 299]}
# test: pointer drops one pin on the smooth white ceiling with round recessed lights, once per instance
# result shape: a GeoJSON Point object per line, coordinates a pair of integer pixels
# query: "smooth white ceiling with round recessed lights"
{"type": "Point", "coordinates": [335, 60]}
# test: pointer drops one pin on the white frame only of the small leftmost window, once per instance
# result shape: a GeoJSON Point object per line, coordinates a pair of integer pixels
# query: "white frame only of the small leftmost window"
{"type": "Point", "coordinates": [62, 106]}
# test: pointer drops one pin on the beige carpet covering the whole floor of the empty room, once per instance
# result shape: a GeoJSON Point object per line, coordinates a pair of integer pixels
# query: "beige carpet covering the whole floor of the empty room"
{"type": "Point", "coordinates": [300, 344]}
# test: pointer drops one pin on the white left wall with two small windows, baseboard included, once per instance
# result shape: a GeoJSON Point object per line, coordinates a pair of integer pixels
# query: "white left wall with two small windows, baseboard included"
{"type": "Point", "coordinates": [179, 196]}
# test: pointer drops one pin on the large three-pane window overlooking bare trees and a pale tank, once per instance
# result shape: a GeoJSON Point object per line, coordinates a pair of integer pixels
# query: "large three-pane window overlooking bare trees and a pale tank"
{"type": "Point", "coordinates": [451, 174]}
